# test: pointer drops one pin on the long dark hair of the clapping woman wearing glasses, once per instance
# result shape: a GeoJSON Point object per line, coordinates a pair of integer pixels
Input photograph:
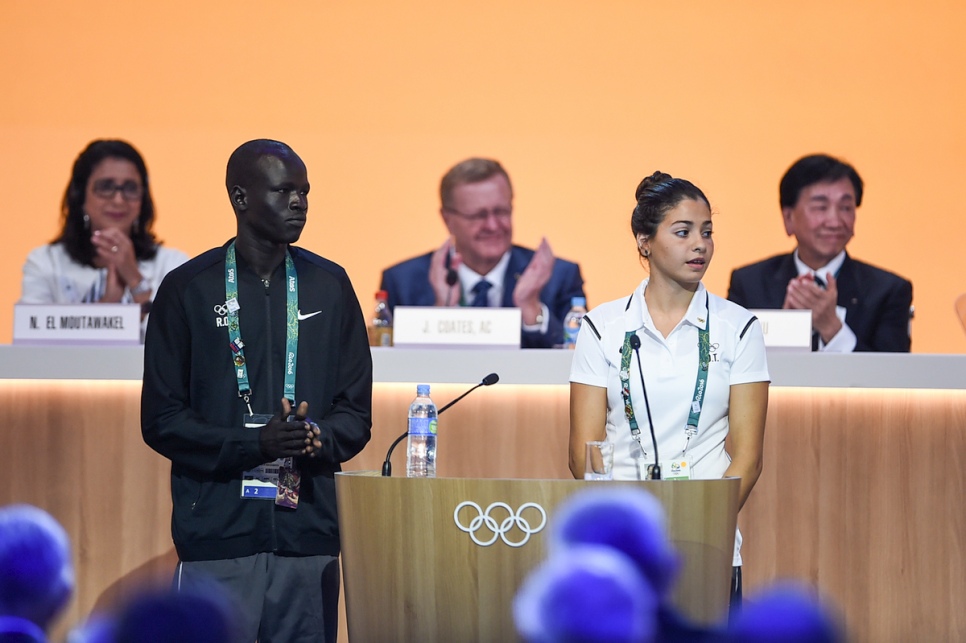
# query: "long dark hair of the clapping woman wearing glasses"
{"type": "Point", "coordinates": [74, 233]}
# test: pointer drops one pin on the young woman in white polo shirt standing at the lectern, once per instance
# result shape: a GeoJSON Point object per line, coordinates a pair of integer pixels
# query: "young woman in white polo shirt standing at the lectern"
{"type": "Point", "coordinates": [672, 359]}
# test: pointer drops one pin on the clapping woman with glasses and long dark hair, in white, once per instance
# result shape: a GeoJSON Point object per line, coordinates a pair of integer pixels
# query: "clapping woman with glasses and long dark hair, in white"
{"type": "Point", "coordinates": [106, 251]}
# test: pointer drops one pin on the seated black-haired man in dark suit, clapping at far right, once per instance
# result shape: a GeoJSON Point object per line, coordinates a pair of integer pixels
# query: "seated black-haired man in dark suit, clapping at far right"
{"type": "Point", "coordinates": [855, 306]}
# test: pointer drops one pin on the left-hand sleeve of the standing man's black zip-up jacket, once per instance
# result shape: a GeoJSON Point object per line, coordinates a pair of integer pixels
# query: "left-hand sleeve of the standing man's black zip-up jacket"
{"type": "Point", "coordinates": [169, 423]}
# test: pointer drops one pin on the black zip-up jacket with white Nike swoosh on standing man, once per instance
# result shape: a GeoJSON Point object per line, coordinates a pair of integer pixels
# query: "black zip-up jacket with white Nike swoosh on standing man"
{"type": "Point", "coordinates": [191, 412]}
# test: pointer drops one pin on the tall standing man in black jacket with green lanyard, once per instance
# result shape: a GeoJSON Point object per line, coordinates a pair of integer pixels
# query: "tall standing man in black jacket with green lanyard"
{"type": "Point", "coordinates": [257, 386]}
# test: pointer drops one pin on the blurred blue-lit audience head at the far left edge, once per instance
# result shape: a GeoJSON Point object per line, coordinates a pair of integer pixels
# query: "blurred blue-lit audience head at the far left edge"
{"type": "Point", "coordinates": [36, 573]}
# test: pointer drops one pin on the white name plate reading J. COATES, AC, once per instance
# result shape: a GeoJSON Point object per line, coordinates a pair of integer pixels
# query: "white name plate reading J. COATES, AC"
{"type": "Point", "coordinates": [457, 327]}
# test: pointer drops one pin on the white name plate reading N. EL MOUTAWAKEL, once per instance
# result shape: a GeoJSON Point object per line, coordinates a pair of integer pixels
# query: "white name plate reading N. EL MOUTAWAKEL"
{"type": "Point", "coordinates": [115, 324]}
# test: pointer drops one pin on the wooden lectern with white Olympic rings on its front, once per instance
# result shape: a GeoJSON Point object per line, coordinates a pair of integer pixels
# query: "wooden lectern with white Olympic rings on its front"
{"type": "Point", "coordinates": [411, 573]}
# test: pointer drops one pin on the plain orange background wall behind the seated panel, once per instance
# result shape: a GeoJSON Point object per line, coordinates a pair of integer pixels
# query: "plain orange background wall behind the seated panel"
{"type": "Point", "coordinates": [579, 100]}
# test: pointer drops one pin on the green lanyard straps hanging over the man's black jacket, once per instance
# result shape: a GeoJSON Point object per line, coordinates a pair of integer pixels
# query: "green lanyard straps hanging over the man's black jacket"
{"type": "Point", "coordinates": [234, 327]}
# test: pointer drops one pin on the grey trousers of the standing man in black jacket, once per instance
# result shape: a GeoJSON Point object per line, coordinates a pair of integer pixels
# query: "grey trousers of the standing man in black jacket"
{"type": "Point", "coordinates": [279, 599]}
